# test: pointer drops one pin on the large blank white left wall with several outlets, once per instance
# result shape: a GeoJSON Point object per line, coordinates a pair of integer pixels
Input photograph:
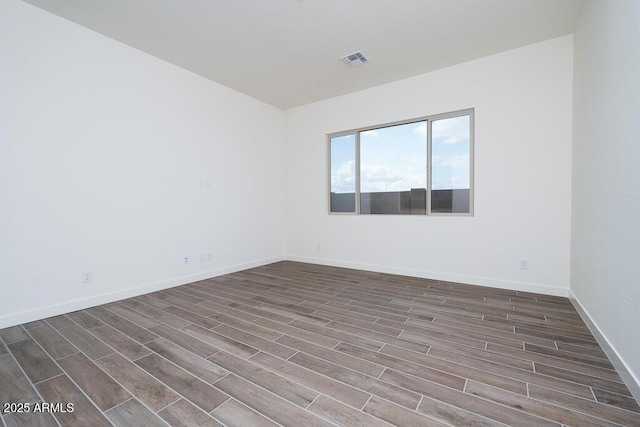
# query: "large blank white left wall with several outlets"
{"type": "Point", "coordinates": [102, 152]}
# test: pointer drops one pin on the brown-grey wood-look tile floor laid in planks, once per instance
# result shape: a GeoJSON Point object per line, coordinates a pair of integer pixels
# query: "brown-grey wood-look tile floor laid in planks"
{"type": "Point", "coordinates": [306, 345]}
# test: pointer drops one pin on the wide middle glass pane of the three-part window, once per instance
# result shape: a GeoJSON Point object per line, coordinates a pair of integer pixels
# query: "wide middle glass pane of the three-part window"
{"type": "Point", "coordinates": [393, 178]}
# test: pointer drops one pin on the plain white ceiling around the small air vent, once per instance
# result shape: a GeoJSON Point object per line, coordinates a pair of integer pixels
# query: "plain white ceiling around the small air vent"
{"type": "Point", "coordinates": [286, 52]}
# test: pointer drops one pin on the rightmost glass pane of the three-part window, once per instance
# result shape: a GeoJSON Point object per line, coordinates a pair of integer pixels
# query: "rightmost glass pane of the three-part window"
{"type": "Point", "coordinates": [450, 165]}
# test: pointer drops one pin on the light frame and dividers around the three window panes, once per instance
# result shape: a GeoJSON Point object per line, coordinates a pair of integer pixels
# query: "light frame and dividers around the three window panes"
{"type": "Point", "coordinates": [429, 119]}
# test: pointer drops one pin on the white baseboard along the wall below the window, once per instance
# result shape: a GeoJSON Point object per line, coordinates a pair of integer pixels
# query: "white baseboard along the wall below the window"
{"type": "Point", "coordinates": [426, 274]}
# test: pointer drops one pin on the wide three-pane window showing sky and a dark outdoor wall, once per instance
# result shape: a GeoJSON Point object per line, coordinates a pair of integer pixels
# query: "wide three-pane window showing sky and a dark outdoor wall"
{"type": "Point", "coordinates": [416, 167]}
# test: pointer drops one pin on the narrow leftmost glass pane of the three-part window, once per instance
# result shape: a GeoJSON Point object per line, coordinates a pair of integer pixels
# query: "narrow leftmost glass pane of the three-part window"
{"type": "Point", "coordinates": [343, 173]}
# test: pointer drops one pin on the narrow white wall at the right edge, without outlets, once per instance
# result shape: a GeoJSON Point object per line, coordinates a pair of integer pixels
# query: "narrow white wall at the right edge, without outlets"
{"type": "Point", "coordinates": [605, 265]}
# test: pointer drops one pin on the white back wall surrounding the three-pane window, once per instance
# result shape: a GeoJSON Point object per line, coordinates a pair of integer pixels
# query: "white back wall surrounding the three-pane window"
{"type": "Point", "coordinates": [523, 112]}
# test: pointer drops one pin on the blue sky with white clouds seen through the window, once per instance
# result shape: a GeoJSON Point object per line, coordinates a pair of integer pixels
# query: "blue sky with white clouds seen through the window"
{"type": "Point", "coordinates": [394, 158]}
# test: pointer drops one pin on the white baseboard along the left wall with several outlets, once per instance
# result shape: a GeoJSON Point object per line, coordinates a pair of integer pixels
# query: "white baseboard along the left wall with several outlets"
{"type": "Point", "coordinates": [79, 304]}
